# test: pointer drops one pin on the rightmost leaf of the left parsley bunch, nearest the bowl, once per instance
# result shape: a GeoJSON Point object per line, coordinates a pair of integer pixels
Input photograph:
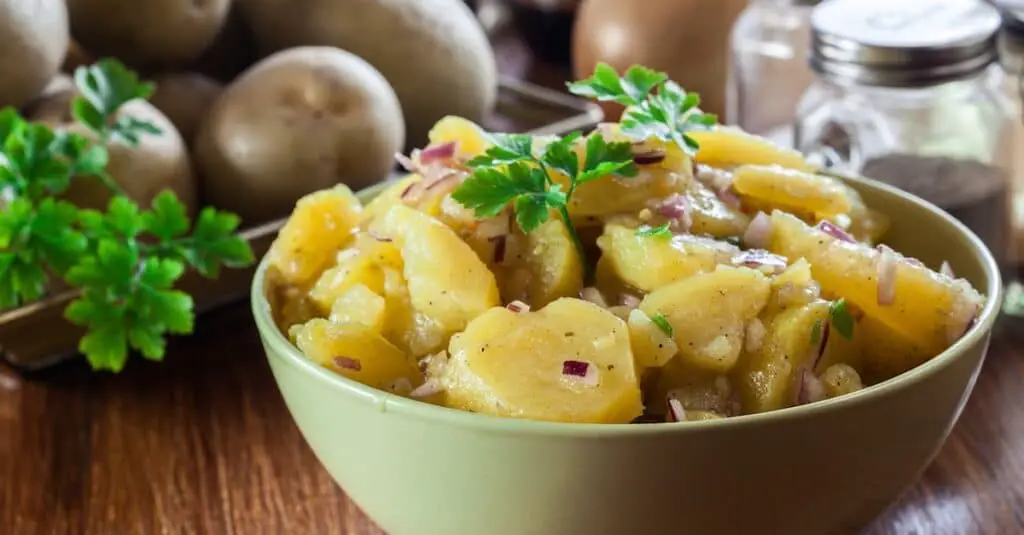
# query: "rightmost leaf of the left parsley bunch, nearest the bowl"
{"type": "Point", "coordinates": [215, 243]}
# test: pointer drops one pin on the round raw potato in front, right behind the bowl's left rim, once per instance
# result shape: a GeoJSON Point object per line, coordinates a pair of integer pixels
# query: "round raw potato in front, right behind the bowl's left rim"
{"type": "Point", "coordinates": [302, 120]}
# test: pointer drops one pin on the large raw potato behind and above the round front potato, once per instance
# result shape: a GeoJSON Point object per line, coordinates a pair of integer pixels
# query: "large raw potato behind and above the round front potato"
{"type": "Point", "coordinates": [434, 53]}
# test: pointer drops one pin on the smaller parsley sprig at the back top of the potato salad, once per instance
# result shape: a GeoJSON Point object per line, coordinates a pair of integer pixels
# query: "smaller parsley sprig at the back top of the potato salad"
{"type": "Point", "coordinates": [667, 114]}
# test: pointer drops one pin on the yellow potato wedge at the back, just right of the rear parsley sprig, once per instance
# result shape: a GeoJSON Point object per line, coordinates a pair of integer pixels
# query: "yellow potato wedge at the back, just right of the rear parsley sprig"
{"type": "Point", "coordinates": [729, 147]}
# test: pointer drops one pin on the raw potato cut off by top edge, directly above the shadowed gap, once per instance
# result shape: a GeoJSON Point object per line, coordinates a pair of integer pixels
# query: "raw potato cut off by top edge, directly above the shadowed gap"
{"type": "Point", "coordinates": [148, 32]}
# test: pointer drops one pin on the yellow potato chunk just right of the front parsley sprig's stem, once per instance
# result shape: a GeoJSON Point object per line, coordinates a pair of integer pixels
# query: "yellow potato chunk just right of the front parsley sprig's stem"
{"type": "Point", "coordinates": [648, 263]}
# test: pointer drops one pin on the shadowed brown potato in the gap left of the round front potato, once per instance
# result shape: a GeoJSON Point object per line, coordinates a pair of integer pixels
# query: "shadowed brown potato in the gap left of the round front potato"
{"type": "Point", "coordinates": [186, 99]}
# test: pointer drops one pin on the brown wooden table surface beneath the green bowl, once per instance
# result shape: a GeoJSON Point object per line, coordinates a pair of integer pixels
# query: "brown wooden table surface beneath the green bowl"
{"type": "Point", "coordinates": [203, 444]}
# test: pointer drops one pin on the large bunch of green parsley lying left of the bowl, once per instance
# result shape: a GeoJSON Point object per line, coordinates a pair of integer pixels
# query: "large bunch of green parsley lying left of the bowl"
{"type": "Point", "coordinates": [126, 261]}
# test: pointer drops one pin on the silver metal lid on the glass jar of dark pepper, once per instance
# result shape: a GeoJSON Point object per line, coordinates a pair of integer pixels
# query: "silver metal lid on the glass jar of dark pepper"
{"type": "Point", "coordinates": [903, 44]}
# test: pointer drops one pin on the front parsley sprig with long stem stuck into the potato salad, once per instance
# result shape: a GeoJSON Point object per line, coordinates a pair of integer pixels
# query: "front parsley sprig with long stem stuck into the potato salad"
{"type": "Point", "coordinates": [513, 172]}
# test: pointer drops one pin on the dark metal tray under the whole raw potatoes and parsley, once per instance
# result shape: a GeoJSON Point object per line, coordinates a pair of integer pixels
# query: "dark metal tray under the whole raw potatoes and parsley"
{"type": "Point", "coordinates": [37, 336]}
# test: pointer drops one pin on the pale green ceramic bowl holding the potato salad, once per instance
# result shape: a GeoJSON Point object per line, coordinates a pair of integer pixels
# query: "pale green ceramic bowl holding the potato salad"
{"type": "Point", "coordinates": [821, 469]}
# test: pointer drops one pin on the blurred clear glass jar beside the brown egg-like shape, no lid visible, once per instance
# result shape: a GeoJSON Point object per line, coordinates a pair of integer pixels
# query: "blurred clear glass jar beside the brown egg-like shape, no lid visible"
{"type": "Point", "coordinates": [769, 72]}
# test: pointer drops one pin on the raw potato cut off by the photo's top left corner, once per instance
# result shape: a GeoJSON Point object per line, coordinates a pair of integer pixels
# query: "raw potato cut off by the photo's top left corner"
{"type": "Point", "coordinates": [33, 43]}
